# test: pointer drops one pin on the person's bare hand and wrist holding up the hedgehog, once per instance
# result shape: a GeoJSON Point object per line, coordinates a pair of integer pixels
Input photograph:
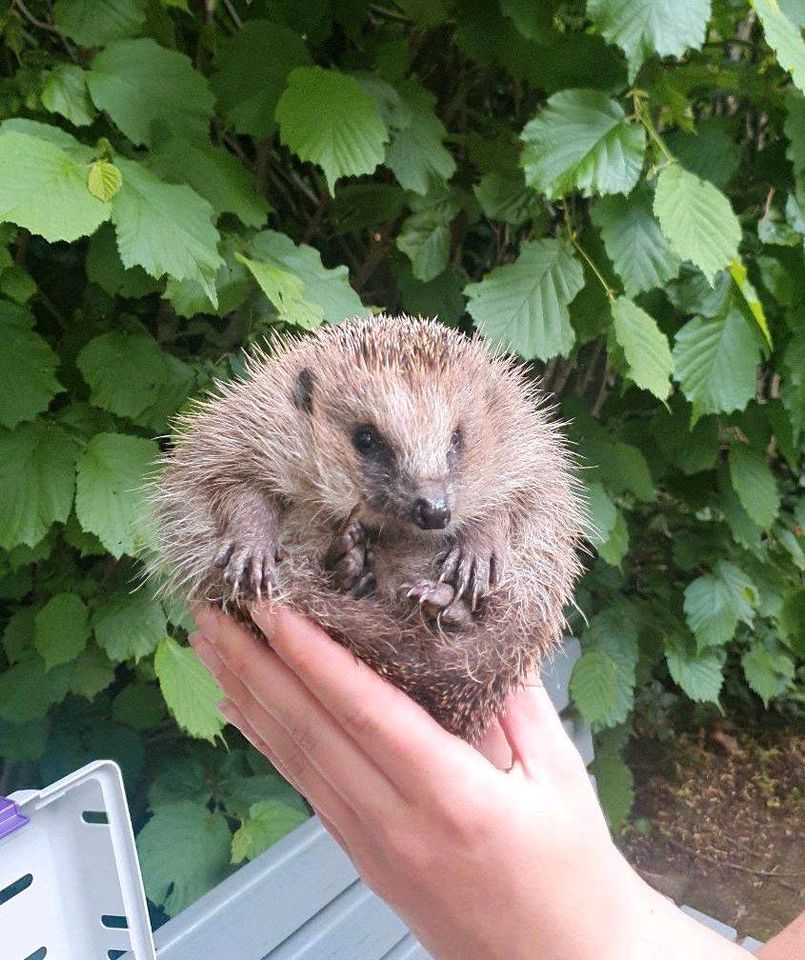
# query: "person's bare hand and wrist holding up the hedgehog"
{"type": "Point", "coordinates": [486, 854]}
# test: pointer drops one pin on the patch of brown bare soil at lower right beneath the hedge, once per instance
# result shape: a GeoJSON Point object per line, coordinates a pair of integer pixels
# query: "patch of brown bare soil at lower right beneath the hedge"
{"type": "Point", "coordinates": [719, 823]}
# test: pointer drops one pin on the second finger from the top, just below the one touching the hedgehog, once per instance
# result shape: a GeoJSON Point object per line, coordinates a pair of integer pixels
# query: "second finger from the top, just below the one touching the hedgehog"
{"type": "Point", "coordinates": [318, 737]}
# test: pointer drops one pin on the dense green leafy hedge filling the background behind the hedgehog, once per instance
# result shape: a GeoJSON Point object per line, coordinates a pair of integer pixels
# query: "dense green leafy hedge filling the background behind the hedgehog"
{"type": "Point", "coordinates": [614, 189]}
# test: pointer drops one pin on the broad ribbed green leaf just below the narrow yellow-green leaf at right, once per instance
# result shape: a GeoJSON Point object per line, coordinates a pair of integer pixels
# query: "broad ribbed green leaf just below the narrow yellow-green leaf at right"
{"type": "Point", "coordinates": [716, 362]}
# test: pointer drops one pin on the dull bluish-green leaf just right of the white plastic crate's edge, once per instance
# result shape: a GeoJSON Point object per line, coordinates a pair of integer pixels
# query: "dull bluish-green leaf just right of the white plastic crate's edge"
{"type": "Point", "coordinates": [183, 851]}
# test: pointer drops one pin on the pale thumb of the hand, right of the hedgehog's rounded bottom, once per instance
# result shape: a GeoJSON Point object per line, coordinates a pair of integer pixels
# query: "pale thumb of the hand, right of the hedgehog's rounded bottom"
{"type": "Point", "coordinates": [539, 743]}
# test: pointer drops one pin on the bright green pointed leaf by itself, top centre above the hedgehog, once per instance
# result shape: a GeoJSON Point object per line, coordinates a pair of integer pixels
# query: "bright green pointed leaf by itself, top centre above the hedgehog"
{"type": "Point", "coordinates": [327, 118]}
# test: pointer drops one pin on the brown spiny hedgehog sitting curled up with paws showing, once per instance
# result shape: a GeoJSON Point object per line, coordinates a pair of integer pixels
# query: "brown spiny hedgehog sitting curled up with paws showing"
{"type": "Point", "coordinates": [402, 484]}
